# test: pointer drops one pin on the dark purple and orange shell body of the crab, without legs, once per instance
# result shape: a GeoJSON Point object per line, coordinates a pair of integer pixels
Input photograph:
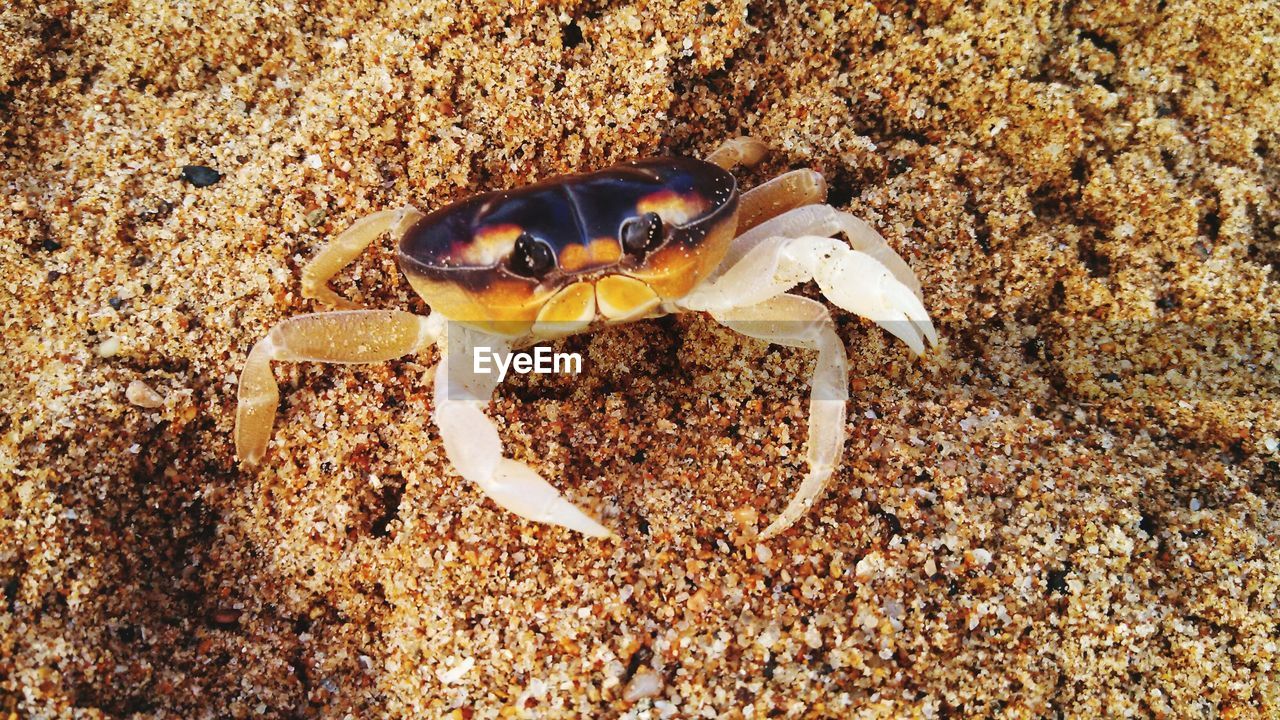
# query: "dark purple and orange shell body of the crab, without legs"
{"type": "Point", "coordinates": [458, 258]}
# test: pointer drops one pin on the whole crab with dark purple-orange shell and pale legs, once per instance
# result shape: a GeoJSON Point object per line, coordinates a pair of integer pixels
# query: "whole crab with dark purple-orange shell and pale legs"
{"type": "Point", "coordinates": [572, 254]}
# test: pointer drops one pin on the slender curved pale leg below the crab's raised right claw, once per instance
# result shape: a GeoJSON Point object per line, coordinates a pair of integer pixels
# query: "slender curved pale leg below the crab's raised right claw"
{"type": "Point", "coordinates": [799, 322]}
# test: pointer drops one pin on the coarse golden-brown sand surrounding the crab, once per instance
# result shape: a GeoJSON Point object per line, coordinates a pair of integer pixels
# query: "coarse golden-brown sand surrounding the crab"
{"type": "Point", "coordinates": [1069, 509]}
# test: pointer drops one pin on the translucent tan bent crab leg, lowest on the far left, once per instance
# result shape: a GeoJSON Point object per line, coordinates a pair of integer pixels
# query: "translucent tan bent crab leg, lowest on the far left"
{"type": "Point", "coordinates": [346, 336]}
